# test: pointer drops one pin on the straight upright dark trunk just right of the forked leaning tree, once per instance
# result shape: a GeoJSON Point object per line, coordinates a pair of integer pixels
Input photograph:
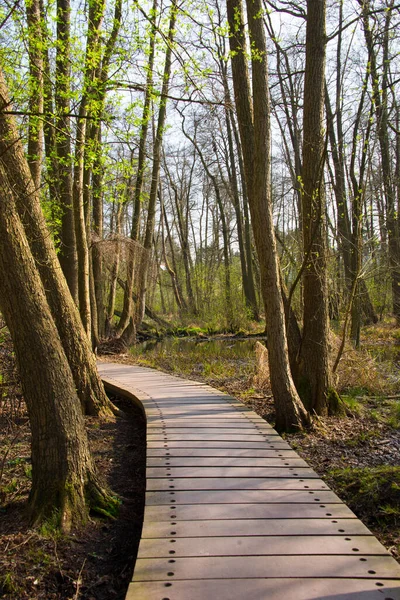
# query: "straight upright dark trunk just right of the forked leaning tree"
{"type": "Point", "coordinates": [315, 378]}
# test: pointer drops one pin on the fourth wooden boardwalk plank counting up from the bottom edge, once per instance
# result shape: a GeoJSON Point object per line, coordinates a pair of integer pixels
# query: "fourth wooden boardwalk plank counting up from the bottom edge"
{"type": "Point", "coordinates": [253, 527]}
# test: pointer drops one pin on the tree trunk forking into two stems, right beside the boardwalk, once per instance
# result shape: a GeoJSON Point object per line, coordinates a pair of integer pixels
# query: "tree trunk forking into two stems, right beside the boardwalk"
{"type": "Point", "coordinates": [290, 413]}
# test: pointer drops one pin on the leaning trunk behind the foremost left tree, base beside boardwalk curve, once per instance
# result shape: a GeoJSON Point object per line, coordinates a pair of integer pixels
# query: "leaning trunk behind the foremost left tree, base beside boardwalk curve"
{"type": "Point", "coordinates": [75, 342]}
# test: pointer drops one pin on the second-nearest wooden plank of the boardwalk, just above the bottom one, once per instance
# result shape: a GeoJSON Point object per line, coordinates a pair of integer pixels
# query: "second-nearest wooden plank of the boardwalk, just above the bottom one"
{"type": "Point", "coordinates": [255, 567]}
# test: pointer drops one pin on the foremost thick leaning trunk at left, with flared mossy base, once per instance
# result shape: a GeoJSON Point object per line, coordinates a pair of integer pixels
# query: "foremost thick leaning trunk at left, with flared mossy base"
{"type": "Point", "coordinates": [63, 474]}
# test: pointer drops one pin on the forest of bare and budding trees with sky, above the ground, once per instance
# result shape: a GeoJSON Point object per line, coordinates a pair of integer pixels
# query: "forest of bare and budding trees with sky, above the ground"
{"type": "Point", "coordinates": [211, 167]}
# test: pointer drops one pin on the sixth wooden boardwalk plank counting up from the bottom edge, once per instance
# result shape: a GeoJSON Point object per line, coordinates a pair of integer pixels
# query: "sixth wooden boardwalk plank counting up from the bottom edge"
{"type": "Point", "coordinates": [240, 497]}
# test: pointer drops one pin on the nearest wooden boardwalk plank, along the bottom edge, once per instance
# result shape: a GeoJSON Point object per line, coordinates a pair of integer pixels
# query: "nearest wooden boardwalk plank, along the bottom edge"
{"type": "Point", "coordinates": [261, 589]}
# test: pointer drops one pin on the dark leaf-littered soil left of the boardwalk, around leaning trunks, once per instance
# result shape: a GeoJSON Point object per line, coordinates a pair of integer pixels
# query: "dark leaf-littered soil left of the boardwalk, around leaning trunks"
{"type": "Point", "coordinates": [95, 563]}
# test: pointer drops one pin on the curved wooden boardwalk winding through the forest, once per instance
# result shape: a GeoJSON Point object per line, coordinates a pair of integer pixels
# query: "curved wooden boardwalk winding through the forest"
{"type": "Point", "coordinates": [233, 513]}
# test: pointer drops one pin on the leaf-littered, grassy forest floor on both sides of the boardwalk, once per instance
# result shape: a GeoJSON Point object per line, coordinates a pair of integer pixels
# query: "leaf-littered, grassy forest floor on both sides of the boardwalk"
{"type": "Point", "coordinates": [358, 455]}
